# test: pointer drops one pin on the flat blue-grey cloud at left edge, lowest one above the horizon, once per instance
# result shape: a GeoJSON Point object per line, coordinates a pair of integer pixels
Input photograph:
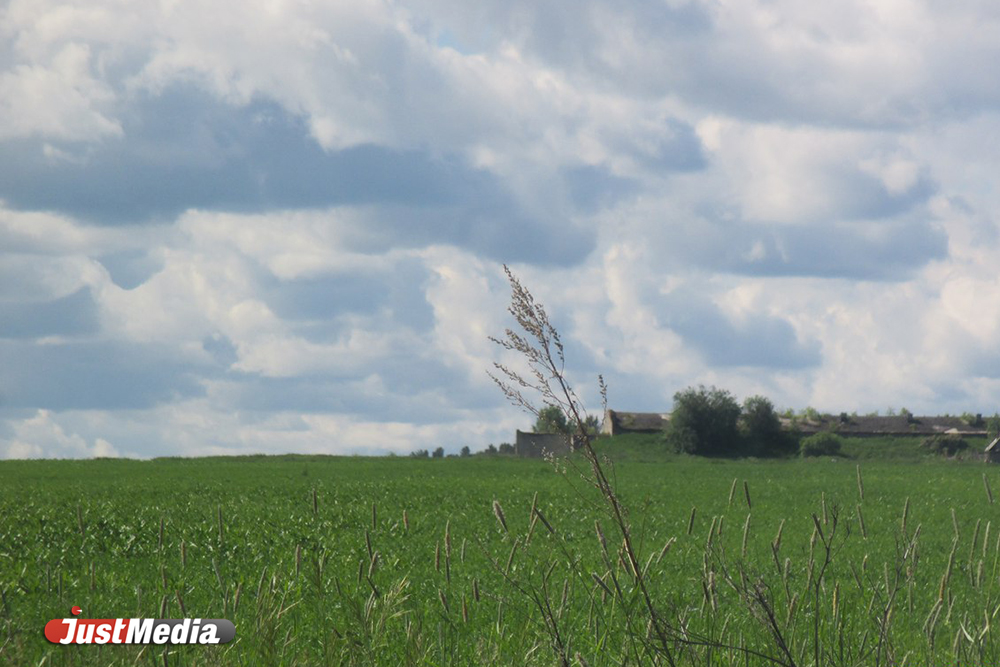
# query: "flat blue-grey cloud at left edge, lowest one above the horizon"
{"type": "Point", "coordinates": [98, 375]}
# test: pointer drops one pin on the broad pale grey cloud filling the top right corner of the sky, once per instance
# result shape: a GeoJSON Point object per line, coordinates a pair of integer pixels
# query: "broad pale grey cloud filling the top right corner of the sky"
{"type": "Point", "coordinates": [726, 62]}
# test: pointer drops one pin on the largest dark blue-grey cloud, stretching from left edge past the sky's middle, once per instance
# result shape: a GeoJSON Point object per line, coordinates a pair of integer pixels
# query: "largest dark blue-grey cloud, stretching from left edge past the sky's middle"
{"type": "Point", "coordinates": [185, 150]}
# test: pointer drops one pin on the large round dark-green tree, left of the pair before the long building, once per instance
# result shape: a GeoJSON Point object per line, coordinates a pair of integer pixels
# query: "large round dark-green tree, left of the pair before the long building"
{"type": "Point", "coordinates": [705, 422]}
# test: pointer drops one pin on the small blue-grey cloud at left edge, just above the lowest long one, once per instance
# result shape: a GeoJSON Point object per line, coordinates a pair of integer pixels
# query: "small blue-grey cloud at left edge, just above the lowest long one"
{"type": "Point", "coordinates": [72, 315]}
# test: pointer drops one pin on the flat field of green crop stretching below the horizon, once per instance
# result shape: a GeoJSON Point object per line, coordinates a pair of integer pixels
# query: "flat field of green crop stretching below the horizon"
{"type": "Point", "coordinates": [400, 561]}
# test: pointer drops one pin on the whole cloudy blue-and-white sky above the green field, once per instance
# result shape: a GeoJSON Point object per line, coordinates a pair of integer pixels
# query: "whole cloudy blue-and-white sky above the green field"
{"type": "Point", "coordinates": [268, 226]}
